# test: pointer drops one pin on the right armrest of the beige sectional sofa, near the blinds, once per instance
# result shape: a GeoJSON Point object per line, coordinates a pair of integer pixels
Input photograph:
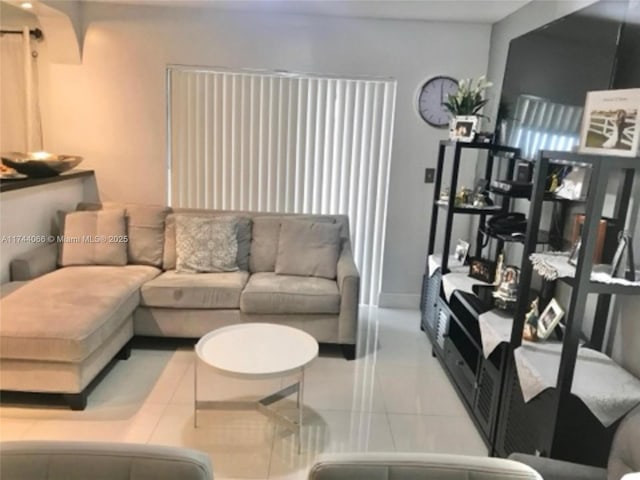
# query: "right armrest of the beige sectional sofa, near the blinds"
{"type": "Point", "coordinates": [348, 280]}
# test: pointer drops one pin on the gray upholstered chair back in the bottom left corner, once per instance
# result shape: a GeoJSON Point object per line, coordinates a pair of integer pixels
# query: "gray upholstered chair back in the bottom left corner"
{"type": "Point", "coordinates": [36, 460]}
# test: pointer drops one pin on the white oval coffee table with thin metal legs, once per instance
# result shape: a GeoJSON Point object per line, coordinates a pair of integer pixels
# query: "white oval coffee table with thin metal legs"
{"type": "Point", "coordinates": [257, 351]}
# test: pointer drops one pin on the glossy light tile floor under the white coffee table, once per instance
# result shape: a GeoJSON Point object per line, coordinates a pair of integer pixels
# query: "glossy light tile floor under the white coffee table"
{"type": "Point", "coordinates": [394, 397]}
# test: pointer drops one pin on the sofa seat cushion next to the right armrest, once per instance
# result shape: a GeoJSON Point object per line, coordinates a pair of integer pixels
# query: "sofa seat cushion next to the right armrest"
{"type": "Point", "coordinates": [270, 293]}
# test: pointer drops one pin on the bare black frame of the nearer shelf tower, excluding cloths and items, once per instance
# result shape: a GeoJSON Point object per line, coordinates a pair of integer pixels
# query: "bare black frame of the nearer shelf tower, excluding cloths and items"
{"type": "Point", "coordinates": [557, 423]}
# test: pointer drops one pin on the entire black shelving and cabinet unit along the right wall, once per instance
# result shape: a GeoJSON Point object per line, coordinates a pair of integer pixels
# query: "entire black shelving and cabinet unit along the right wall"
{"type": "Point", "coordinates": [556, 423]}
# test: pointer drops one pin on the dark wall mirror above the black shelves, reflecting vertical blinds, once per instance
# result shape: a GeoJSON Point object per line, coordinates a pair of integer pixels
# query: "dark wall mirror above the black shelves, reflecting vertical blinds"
{"type": "Point", "coordinates": [550, 70]}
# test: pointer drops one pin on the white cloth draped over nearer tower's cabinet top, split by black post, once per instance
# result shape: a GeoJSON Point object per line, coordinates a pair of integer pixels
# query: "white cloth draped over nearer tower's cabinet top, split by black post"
{"type": "Point", "coordinates": [607, 389]}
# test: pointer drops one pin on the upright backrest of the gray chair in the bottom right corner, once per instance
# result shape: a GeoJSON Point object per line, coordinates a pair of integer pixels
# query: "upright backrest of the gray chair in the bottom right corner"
{"type": "Point", "coordinates": [625, 451]}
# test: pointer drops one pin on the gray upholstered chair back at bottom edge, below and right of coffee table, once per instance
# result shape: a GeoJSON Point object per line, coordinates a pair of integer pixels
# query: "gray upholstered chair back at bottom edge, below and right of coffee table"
{"type": "Point", "coordinates": [419, 466]}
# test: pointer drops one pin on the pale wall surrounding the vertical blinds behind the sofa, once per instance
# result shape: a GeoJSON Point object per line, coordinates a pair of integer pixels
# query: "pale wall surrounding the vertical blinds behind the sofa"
{"type": "Point", "coordinates": [112, 108]}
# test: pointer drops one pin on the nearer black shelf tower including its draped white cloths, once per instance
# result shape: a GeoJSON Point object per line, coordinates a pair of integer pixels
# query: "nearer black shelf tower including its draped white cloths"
{"type": "Point", "coordinates": [564, 398]}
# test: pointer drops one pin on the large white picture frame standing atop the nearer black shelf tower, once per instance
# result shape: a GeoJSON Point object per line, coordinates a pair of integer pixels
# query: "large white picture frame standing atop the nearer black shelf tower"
{"type": "Point", "coordinates": [611, 123]}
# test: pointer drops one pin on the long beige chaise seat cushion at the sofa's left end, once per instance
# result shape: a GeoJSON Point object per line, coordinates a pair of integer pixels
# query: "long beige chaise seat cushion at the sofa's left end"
{"type": "Point", "coordinates": [67, 314]}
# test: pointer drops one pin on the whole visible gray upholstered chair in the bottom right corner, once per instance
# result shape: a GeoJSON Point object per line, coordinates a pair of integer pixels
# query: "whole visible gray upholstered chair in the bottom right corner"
{"type": "Point", "coordinates": [624, 457]}
